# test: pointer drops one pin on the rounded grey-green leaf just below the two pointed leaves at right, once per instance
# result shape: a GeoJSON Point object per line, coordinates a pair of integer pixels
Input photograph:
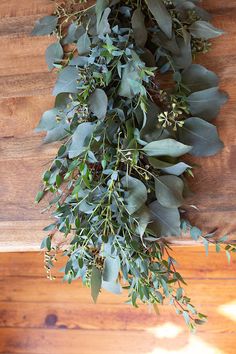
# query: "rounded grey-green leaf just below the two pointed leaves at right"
{"type": "Point", "coordinates": [169, 191]}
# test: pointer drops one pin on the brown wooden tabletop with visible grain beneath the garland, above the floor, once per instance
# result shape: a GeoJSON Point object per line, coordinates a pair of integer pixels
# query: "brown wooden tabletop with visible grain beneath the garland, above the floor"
{"type": "Point", "coordinates": [25, 93]}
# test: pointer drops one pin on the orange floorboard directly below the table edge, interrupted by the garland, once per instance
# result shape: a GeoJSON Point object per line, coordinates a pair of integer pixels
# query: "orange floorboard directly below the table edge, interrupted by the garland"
{"type": "Point", "coordinates": [191, 262]}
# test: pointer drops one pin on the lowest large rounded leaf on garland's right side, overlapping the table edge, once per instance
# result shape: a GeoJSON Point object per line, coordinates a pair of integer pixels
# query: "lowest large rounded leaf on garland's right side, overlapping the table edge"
{"type": "Point", "coordinates": [165, 221]}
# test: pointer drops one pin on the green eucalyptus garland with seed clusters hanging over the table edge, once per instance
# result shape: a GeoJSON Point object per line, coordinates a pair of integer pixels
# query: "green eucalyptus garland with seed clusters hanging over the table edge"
{"type": "Point", "coordinates": [129, 105]}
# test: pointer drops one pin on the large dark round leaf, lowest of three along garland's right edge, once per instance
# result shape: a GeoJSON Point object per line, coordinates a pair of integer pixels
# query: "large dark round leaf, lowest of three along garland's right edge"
{"type": "Point", "coordinates": [202, 136]}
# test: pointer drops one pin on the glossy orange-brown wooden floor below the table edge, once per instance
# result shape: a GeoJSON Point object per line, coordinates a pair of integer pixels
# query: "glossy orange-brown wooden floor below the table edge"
{"type": "Point", "coordinates": [42, 317]}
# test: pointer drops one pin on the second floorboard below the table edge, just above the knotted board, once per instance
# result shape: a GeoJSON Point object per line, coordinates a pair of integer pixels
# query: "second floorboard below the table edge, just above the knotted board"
{"type": "Point", "coordinates": [26, 289]}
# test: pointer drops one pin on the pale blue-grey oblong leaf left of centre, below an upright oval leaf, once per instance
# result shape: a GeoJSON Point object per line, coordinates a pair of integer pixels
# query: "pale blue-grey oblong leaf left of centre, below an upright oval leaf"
{"type": "Point", "coordinates": [80, 138]}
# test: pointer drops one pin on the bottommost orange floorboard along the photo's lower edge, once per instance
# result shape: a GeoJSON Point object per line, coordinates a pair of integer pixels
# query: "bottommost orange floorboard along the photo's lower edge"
{"type": "Point", "coordinates": [36, 341]}
